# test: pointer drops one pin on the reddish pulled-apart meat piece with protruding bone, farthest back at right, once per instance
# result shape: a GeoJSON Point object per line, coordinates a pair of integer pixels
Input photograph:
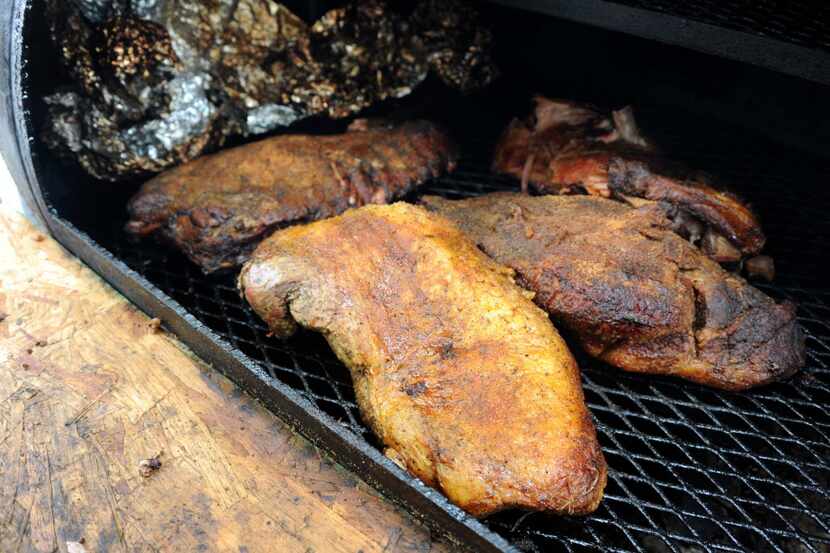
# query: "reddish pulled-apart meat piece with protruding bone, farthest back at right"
{"type": "Point", "coordinates": [565, 148]}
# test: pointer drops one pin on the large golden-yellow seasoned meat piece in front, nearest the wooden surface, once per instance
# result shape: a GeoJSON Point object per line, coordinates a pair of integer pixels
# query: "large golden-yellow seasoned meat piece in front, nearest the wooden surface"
{"type": "Point", "coordinates": [462, 378]}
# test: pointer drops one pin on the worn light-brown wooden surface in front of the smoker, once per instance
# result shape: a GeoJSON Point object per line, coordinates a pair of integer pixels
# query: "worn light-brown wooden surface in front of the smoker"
{"type": "Point", "coordinates": [89, 388]}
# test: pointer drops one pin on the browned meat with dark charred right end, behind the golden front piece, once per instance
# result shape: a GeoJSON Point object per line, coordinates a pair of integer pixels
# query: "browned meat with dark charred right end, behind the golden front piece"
{"type": "Point", "coordinates": [634, 293]}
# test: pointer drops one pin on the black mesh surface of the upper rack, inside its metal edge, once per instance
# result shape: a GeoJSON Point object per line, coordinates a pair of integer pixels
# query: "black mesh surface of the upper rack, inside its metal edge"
{"type": "Point", "coordinates": [800, 22]}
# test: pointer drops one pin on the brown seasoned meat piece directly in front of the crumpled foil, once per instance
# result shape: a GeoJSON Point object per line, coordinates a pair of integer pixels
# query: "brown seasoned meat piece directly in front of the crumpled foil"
{"type": "Point", "coordinates": [218, 208]}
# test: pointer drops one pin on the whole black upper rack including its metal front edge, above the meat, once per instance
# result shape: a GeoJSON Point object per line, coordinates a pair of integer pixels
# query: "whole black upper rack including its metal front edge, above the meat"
{"type": "Point", "coordinates": [789, 37]}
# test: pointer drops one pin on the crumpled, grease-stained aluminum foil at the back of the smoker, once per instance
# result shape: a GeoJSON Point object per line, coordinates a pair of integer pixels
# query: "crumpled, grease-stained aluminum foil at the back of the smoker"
{"type": "Point", "coordinates": [159, 82]}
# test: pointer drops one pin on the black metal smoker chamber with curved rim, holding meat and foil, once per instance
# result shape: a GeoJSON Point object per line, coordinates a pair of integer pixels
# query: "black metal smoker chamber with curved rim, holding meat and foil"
{"type": "Point", "coordinates": [736, 88]}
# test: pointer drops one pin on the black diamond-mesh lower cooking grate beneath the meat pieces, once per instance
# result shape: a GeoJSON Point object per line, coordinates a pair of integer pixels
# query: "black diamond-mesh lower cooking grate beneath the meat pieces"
{"type": "Point", "coordinates": [691, 469]}
